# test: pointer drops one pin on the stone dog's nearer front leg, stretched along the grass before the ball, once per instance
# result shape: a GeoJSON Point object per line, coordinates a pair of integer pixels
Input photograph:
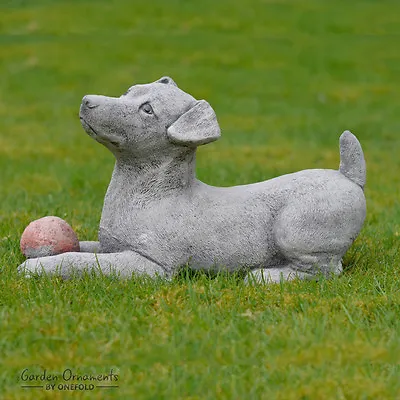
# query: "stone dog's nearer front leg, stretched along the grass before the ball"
{"type": "Point", "coordinates": [66, 265]}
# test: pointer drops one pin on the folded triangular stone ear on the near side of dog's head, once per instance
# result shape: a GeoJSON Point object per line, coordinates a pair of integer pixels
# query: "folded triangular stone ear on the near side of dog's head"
{"type": "Point", "coordinates": [197, 126]}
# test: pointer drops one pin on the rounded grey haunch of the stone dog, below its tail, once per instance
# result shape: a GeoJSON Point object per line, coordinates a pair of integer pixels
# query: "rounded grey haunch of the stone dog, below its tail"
{"type": "Point", "coordinates": [313, 233]}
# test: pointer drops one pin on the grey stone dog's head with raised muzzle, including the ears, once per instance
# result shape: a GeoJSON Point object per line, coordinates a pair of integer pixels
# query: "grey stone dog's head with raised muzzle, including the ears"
{"type": "Point", "coordinates": [148, 119]}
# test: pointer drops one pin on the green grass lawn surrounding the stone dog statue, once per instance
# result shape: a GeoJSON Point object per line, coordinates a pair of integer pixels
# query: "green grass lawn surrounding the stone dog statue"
{"type": "Point", "coordinates": [285, 79]}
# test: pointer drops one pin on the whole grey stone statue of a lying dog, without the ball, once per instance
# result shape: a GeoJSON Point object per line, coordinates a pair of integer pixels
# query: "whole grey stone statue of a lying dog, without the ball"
{"type": "Point", "coordinates": [157, 216]}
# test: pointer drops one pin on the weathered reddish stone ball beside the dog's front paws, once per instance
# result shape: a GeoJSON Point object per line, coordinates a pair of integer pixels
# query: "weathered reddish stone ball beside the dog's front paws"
{"type": "Point", "coordinates": [48, 236]}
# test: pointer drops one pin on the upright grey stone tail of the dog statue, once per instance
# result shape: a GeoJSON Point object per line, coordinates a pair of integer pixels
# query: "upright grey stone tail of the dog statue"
{"type": "Point", "coordinates": [352, 162]}
